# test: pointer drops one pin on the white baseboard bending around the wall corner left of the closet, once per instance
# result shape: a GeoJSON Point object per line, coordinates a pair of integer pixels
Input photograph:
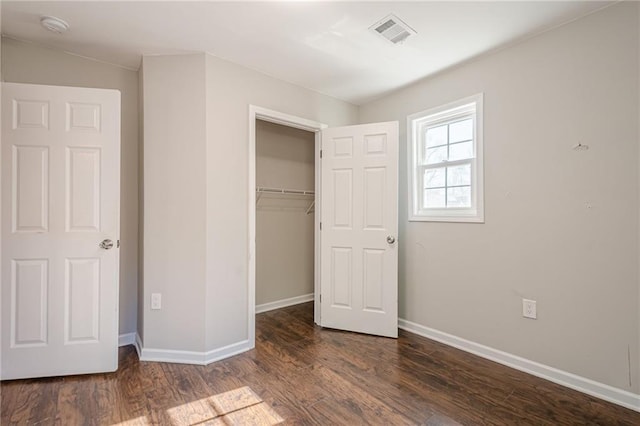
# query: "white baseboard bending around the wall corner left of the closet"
{"type": "Point", "coordinates": [191, 357]}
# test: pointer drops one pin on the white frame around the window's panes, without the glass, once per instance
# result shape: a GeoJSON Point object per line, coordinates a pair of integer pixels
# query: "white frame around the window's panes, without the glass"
{"type": "Point", "coordinates": [471, 106]}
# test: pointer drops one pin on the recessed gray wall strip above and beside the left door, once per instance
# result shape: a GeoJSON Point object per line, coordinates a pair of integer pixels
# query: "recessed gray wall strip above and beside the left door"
{"type": "Point", "coordinates": [29, 63]}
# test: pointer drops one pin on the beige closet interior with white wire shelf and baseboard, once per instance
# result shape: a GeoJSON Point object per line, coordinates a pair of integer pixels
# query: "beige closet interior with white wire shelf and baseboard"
{"type": "Point", "coordinates": [285, 208]}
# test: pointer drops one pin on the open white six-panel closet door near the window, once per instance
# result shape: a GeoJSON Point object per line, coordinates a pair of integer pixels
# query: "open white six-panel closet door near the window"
{"type": "Point", "coordinates": [359, 256]}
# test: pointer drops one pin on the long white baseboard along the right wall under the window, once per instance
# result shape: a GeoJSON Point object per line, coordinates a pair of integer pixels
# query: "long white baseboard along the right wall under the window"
{"type": "Point", "coordinates": [564, 378]}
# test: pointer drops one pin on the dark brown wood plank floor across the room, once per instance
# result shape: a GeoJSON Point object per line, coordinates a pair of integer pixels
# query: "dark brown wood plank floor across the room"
{"type": "Point", "coordinates": [307, 375]}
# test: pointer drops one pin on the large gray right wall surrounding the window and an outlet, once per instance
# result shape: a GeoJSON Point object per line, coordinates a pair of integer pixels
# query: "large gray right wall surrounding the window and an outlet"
{"type": "Point", "coordinates": [561, 225]}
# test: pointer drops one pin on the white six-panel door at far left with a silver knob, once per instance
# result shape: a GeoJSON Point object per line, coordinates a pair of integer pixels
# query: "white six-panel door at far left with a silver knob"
{"type": "Point", "coordinates": [60, 200]}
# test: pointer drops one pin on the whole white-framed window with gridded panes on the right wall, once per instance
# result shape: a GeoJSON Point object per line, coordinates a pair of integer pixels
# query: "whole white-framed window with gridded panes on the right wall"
{"type": "Point", "coordinates": [445, 163]}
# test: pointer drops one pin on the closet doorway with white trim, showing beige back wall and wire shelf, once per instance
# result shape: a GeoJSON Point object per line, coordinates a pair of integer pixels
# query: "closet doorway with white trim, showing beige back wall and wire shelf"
{"type": "Point", "coordinates": [284, 238]}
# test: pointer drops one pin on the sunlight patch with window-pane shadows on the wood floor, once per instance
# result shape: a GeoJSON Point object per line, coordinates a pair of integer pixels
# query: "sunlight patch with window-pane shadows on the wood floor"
{"type": "Point", "coordinates": [237, 407]}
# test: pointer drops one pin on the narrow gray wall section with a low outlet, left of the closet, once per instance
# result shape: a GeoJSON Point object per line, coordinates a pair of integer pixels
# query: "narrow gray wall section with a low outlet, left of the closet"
{"type": "Point", "coordinates": [174, 223]}
